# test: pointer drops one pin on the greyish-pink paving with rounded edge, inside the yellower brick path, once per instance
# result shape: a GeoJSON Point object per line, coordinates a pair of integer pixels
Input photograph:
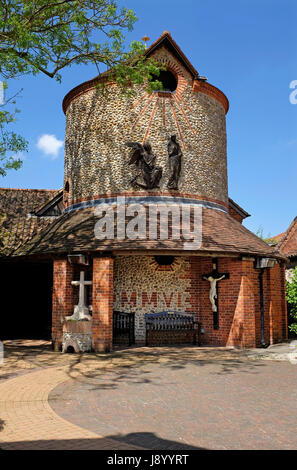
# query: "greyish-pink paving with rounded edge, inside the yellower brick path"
{"type": "Point", "coordinates": [198, 404]}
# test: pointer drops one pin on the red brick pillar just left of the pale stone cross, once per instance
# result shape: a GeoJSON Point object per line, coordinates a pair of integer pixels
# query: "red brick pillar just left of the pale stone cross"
{"type": "Point", "coordinates": [62, 298]}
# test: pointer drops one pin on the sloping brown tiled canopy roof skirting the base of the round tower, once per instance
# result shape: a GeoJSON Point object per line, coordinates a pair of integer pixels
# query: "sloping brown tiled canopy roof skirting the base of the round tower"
{"type": "Point", "coordinates": [74, 232]}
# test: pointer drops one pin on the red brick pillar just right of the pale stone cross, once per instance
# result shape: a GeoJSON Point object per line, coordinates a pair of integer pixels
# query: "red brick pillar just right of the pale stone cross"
{"type": "Point", "coordinates": [102, 304]}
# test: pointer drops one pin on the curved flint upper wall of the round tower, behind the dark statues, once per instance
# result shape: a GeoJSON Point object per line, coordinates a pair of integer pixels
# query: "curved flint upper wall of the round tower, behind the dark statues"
{"type": "Point", "coordinates": [97, 126]}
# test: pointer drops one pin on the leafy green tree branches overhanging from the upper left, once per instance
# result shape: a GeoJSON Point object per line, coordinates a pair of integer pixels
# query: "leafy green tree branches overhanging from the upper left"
{"type": "Point", "coordinates": [44, 36]}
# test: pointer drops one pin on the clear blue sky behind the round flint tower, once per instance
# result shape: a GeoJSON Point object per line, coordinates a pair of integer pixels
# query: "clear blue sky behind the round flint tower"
{"type": "Point", "coordinates": [247, 48]}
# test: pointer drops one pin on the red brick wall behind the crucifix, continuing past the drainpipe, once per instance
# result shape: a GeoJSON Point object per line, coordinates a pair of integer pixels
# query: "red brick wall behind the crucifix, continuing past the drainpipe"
{"type": "Point", "coordinates": [239, 303]}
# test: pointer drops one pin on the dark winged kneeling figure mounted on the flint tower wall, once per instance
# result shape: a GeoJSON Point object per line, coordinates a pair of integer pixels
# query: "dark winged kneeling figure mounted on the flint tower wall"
{"type": "Point", "coordinates": [148, 172]}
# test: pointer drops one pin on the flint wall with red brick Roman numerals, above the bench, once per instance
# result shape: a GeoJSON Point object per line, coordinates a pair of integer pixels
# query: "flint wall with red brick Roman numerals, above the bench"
{"type": "Point", "coordinates": [142, 286]}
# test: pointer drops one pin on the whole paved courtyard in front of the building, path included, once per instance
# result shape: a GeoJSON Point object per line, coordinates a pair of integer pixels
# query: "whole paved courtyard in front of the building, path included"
{"type": "Point", "coordinates": [161, 398]}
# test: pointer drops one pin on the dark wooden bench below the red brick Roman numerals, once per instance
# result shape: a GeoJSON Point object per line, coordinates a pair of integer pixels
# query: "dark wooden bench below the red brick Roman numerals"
{"type": "Point", "coordinates": [171, 328]}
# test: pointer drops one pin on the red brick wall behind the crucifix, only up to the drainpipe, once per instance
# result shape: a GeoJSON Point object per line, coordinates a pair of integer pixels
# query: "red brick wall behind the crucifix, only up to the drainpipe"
{"type": "Point", "coordinates": [237, 302]}
